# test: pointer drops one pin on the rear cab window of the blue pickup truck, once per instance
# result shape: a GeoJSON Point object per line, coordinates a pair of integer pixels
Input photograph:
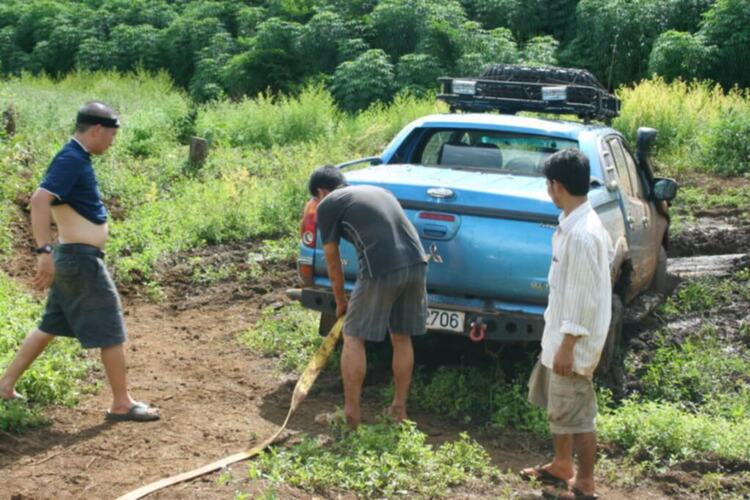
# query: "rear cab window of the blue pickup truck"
{"type": "Point", "coordinates": [504, 152]}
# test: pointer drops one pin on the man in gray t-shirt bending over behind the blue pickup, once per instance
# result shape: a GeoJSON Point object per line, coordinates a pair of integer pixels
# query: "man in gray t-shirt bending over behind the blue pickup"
{"type": "Point", "coordinates": [390, 293]}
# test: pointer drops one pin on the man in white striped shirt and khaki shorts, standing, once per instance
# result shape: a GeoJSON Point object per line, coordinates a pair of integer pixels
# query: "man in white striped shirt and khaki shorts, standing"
{"type": "Point", "coordinates": [576, 324]}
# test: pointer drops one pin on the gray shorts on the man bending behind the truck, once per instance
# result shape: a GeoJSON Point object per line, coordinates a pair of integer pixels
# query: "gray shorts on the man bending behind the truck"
{"type": "Point", "coordinates": [395, 301]}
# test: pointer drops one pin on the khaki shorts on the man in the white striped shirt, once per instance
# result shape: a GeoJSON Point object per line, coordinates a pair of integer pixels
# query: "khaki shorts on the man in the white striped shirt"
{"type": "Point", "coordinates": [570, 401]}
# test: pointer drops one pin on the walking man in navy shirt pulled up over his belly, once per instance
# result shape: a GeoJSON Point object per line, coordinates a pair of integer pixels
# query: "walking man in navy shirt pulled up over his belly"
{"type": "Point", "coordinates": [82, 301]}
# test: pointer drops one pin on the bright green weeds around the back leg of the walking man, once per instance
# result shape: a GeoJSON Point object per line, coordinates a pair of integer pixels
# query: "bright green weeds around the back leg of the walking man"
{"type": "Point", "coordinates": [55, 378]}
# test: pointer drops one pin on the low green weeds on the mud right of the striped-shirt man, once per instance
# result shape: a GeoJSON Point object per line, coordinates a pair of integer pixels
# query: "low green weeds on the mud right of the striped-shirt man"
{"type": "Point", "coordinates": [694, 401]}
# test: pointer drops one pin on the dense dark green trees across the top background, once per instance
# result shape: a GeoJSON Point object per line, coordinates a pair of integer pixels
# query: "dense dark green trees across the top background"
{"type": "Point", "coordinates": [369, 50]}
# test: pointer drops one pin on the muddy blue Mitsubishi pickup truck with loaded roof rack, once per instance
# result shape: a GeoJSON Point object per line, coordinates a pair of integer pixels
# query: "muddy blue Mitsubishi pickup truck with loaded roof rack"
{"type": "Point", "coordinates": [472, 184]}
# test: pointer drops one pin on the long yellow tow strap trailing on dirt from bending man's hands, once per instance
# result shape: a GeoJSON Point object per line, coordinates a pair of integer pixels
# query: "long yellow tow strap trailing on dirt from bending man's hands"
{"type": "Point", "coordinates": [305, 382]}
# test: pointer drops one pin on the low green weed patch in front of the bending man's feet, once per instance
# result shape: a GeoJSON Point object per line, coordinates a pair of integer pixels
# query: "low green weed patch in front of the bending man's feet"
{"type": "Point", "coordinates": [381, 460]}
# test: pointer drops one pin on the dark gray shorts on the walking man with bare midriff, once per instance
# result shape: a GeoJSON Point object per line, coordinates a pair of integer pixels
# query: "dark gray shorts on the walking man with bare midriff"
{"type": "Point", "coordinates": [83, 302]}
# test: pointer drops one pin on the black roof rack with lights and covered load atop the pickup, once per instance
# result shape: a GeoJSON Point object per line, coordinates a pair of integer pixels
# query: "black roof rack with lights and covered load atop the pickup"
{"type": "Point", "coordinates": [510, 89]}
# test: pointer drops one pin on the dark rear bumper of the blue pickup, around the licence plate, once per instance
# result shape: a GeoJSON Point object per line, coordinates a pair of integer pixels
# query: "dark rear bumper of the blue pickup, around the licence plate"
{"type": "Point", "coordinates": [505, 321]}
